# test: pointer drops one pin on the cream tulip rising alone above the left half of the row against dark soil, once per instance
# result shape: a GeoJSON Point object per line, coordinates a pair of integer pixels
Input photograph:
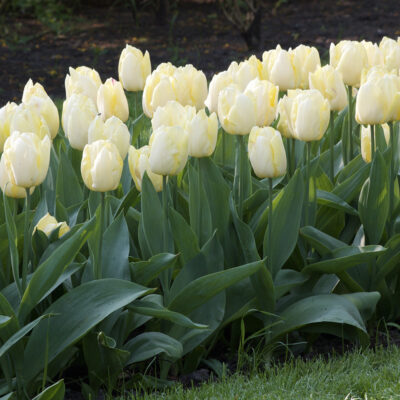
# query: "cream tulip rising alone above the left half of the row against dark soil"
{"type": "Point", "coordinates": [133, 68]}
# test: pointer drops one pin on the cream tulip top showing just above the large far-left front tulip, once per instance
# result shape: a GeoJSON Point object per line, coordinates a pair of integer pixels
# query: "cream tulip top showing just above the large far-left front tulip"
{"type": "Point", "coordinates": [26, 118]}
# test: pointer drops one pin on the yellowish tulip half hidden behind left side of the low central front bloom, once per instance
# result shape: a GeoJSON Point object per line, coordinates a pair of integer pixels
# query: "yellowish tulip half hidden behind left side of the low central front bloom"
{"type": "Point", "coordinates": [138, 160]}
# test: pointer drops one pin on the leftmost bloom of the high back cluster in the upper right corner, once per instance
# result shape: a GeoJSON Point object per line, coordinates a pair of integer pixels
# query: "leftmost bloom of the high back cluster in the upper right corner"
{"type": "Point", "coordinates": [349, 58]}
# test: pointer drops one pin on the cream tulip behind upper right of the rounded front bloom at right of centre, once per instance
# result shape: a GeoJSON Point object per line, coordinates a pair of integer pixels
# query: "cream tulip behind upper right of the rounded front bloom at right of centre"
{"type": "Point", "coordinates": [329, 82]}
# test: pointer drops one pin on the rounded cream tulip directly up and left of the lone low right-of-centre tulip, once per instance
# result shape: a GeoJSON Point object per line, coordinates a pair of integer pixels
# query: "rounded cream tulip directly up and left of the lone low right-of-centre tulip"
{"type": "Point", "coordinates": [236, 111]}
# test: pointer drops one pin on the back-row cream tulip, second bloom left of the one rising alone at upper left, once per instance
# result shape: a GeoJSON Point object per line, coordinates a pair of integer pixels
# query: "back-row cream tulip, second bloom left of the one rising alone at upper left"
{"type": "Point", "coordinates": [82, 80]}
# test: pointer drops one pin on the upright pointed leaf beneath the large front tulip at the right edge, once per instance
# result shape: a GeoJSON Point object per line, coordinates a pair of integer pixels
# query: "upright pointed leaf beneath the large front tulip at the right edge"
{"type": "Point", "coordinates": [373, 204]}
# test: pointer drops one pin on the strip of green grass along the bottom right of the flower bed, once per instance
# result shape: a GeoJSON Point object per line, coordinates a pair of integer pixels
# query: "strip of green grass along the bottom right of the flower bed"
{"type": "Point", "coordinates": [363, 375]}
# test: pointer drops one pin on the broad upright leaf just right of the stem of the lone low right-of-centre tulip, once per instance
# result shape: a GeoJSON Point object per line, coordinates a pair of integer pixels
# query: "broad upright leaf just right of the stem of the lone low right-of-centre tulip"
{"type": "Point", "coordinates": [286, 220]}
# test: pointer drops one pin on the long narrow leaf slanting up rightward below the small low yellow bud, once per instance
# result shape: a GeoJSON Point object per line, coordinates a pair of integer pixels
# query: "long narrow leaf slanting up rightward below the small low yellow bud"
{"type": "Point", "coordinates": [47, 274]}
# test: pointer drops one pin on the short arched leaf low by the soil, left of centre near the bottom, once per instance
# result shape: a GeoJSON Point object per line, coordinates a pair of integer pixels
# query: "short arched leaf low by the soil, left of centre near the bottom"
{"type": "Point", "coordinates": [150, 344]}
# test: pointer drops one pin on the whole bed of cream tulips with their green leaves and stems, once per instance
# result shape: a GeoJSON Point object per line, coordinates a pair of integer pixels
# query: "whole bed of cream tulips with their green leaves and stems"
{"type": "Point", "coordinates": [150, 230]}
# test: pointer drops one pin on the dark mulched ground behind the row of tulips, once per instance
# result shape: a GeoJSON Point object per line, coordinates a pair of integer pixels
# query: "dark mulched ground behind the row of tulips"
{"type": "Point", "coordinates": [200, 35]}
